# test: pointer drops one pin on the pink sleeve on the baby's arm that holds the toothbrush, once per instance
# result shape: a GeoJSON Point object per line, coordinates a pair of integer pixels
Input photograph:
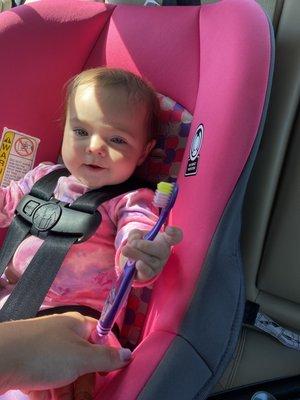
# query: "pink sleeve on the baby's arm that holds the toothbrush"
{"type": "Point", "coordinates": [134, 210]}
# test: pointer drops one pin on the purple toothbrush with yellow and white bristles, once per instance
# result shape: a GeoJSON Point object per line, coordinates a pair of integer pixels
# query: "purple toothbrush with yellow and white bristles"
{"type": "Point", "coordinates": [164, 199]}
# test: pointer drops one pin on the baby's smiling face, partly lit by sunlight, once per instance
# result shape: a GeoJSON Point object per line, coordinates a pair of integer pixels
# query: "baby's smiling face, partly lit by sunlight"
{"type": "Point", "coordinates": [104, 137]}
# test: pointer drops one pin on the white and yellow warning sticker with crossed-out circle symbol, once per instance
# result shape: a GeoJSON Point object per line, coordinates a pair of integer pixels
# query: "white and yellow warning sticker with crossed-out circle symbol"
{"type": "Point", "coordinates": [17, 155]}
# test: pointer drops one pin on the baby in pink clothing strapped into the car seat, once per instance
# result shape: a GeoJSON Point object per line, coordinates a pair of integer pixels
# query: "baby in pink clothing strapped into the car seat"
{"type": "Point", "coordinates": [110, 126]}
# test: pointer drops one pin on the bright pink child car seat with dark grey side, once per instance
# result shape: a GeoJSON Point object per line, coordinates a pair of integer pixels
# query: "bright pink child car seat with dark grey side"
{"type": "Point", "coordinates": [215, 61]}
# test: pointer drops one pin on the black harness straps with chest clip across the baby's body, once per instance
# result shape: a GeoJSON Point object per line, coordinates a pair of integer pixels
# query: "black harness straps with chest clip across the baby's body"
{"type": "Point", "coordinates": [60, 225]}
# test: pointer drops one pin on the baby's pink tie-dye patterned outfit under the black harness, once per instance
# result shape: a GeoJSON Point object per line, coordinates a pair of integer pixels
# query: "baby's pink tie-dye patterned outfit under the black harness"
{"type": "Point", "coordinates": [90, 268]}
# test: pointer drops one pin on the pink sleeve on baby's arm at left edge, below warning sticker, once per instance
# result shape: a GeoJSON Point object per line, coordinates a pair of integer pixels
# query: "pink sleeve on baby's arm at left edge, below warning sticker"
{"type": "Point", "coordinates": [12, 194]}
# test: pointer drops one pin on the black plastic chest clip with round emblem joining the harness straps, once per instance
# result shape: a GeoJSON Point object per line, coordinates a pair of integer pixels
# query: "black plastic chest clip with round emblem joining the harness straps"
{"type": "Point", "coordinates": [57, 217]}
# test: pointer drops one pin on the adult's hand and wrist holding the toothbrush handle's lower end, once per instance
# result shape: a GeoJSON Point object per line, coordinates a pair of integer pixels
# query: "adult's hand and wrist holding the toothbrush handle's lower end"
{"type": "Point", "coordinates": [51, 352]}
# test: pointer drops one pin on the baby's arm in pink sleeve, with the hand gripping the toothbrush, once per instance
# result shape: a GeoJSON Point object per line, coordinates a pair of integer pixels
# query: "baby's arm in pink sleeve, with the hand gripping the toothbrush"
{"type": "Point", "coordinates": [136, 215]}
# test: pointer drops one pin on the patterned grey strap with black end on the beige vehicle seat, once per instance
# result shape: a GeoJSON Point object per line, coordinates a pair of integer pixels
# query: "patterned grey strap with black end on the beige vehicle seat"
{"type": "Point", "coordinates": [254, 317]}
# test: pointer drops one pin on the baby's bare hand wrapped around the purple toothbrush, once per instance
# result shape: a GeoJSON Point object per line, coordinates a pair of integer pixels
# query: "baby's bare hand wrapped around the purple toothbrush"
{"type": "Point", "coordinates": [150, 256]}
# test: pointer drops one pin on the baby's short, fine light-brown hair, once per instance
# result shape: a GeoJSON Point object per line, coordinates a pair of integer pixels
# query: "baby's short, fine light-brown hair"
{"type": "Point", "coordinates": [138, 90]}
